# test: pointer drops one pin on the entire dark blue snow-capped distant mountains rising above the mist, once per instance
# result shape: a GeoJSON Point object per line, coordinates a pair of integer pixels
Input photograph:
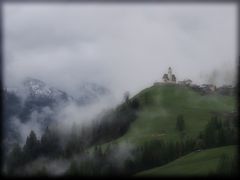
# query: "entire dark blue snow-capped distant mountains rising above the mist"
{"type": "Point", "coordinates": [37, 101]}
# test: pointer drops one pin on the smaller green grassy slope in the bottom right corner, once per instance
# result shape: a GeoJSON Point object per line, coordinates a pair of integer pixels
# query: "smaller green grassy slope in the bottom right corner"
{"type": "Point", "coordinates": [195, 163]}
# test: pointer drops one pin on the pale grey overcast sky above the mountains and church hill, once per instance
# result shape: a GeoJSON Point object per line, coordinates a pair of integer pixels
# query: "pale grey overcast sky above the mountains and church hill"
{"type": "Point", "coordinates": [125, 47]}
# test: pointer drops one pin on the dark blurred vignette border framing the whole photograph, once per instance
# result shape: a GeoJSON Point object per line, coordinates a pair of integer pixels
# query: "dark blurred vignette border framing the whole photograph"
{"type": "Point", "coordinates": [2, 2]}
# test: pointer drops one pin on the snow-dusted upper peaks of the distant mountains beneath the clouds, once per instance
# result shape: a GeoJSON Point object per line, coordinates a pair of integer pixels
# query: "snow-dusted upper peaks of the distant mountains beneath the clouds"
{"type": "Point", "coordinates": [36, 89]}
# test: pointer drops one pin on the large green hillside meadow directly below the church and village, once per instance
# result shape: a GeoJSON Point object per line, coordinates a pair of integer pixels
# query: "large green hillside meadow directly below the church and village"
{"type": "Point", "coordinates": [160, 106]}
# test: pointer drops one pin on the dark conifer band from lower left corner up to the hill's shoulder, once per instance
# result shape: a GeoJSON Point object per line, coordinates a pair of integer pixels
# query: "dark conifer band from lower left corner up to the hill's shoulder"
{"type": "Point", "coordinates": [112, 125]}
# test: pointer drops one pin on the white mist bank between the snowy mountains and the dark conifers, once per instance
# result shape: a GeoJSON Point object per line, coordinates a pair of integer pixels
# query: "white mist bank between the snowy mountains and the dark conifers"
{"type": "Point", "coordinates": [62, 117]}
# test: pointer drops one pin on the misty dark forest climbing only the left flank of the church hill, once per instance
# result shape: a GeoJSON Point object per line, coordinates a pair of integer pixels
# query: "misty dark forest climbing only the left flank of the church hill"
{"type": "Point", "coordinates": [109, 127]}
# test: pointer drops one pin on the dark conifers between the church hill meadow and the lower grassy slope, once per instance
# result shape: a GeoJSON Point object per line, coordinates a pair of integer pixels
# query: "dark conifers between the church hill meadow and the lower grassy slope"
{"type": "Point", "coordinates": [159, 152]}
